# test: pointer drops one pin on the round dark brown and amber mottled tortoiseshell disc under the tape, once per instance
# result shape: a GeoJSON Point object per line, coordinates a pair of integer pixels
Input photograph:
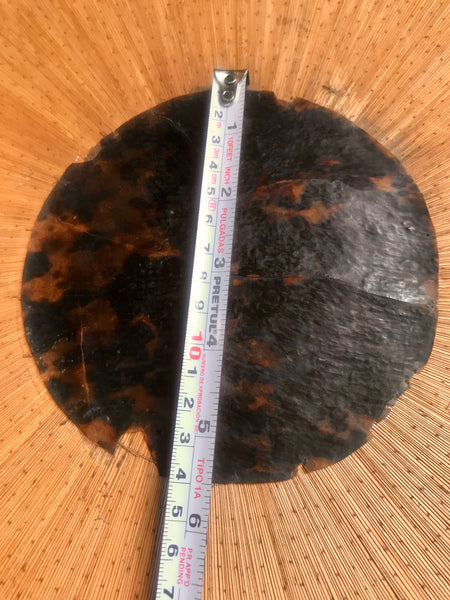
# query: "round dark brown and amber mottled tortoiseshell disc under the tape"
{"type": "Point", "coordinates": [332, 297]}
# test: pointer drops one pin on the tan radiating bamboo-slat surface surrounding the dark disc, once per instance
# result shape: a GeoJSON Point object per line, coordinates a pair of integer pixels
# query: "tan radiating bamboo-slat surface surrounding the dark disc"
{"type": "Point", "coordinates": [76, 523]}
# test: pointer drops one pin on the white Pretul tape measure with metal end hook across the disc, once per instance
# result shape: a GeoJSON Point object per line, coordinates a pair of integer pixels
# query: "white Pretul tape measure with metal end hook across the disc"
{"type": "Point", "coordinates": [183, 545]}
